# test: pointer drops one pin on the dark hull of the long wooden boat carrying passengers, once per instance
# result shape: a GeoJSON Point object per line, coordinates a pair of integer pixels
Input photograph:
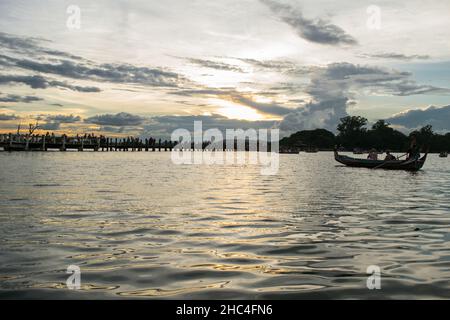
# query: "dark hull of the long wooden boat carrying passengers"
{"type": "Point", "coordinates": [408, 165]}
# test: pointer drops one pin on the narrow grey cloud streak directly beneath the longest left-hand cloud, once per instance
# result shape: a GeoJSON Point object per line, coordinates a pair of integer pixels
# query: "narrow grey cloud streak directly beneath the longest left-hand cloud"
{"type": "Point", "coordinates": [39, 82]}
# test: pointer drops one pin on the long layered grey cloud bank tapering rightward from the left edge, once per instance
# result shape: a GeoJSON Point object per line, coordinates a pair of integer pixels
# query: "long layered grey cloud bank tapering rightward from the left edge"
{"type": "Point", "coordinates": [40, 62]}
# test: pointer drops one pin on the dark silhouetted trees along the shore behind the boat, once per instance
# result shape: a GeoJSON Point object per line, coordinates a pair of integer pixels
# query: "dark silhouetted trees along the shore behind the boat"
{"type": "Point", "coordinates": [354, 134]}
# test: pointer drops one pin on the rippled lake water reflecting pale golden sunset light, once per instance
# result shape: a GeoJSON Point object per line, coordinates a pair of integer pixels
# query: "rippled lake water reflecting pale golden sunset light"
{"type": "Point", "coordinates": [139, 226]}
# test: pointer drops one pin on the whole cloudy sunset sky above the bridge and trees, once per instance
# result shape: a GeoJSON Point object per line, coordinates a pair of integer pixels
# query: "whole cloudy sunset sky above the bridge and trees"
{"type": "Point", "coordinates": [145, 67]}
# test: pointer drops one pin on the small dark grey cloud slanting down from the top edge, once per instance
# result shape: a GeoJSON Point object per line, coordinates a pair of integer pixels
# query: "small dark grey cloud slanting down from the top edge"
{"type": "Point", "coordinates": [317, 31]}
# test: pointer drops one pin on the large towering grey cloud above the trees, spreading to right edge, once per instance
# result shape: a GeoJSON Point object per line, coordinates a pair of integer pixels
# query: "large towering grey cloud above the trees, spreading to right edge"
{"type": "Point", "coordinates": [331, 88]}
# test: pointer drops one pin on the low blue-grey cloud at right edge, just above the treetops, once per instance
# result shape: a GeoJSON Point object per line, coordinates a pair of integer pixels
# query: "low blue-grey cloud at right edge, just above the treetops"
{"type": "Point", "coordinates": [439, 118]}
